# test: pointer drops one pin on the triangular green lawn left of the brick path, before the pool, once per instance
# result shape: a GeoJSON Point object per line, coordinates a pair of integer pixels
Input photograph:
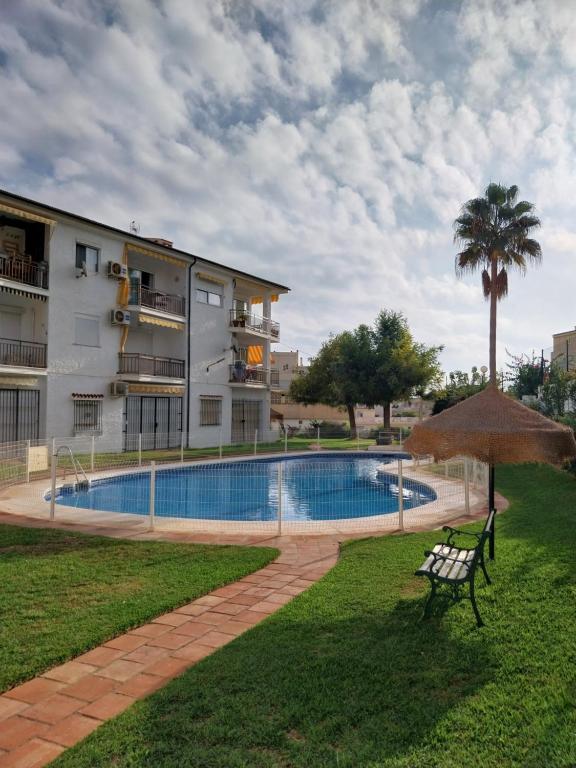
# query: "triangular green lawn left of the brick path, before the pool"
{"type": "Point", "coordinates": [62, 593]}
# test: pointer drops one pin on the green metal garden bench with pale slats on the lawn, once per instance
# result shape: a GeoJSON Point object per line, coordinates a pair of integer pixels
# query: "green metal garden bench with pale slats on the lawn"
{"type": "Point", "coordinates": [456, 566]}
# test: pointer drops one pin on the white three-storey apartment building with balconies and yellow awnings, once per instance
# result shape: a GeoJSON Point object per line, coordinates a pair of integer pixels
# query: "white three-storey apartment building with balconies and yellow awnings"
{"type": "Point", "coordinates": [104, 332]}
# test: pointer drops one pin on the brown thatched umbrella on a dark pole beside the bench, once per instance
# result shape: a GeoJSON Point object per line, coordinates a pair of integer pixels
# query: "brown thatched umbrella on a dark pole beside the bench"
{"type": "Point", "coordinates": [495, 429]}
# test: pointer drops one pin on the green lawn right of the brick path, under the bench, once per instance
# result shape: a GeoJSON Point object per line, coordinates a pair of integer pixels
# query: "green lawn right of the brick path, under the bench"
{"type": "Point", "coordinates": [347, 675]}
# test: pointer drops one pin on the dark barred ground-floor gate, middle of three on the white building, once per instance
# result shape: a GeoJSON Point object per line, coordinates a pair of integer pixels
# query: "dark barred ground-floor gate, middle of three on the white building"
{"type": "Point", "coordinates": [157, 419]}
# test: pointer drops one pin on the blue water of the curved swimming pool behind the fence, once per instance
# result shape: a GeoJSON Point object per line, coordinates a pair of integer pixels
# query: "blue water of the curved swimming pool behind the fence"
{"type": "Point", "coordinates": [326, 487]}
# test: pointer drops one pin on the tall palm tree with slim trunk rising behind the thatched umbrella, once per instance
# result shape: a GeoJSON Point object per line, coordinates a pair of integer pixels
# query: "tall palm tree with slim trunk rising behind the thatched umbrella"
{"type": "Point", "coordinates": [494, 233]}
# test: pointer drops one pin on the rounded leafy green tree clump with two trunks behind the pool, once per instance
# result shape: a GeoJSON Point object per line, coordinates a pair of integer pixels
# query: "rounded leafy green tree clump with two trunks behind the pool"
{"type": "Point", "coordinates": [368, 365]}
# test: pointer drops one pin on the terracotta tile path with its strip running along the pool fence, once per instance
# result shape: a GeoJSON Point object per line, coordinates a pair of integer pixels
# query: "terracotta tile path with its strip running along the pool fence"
{"type": "Point", "coordinates": [42, 717]}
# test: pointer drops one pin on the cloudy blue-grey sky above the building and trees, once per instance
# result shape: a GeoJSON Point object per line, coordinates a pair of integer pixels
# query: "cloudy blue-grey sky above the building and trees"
{"type": "Point", "coordinates": [325, 145]}
